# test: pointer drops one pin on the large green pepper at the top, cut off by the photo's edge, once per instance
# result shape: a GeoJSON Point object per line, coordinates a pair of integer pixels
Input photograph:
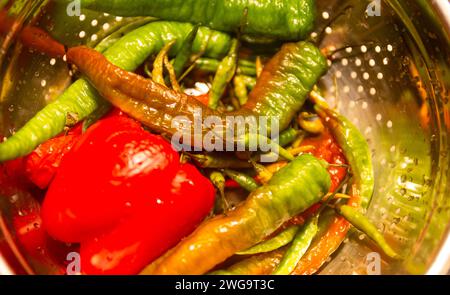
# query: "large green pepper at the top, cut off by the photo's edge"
{"type": "Point", "coordinates": [284, 19]}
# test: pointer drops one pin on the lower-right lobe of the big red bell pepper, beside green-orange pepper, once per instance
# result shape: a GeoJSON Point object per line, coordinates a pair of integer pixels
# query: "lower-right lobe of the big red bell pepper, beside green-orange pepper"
{"type": "Point", "coordinates": [160, 225]}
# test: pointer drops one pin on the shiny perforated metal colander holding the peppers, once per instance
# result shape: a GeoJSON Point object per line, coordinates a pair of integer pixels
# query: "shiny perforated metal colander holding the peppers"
{"type": "Point", "coordinates": [390, 75]}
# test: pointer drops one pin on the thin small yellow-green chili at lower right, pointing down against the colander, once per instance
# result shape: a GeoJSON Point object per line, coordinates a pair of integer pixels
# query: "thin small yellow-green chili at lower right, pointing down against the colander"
{"type": "Point", "coordinates": [363, 224]}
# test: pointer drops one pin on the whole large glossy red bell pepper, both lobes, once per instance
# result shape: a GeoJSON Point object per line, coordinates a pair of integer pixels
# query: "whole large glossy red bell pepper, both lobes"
{"type": "Point", "coordinates": [122, 191]}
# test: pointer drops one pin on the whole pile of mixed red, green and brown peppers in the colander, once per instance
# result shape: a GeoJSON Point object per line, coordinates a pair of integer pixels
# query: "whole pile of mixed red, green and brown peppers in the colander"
{"type": "Point", "coordinates": [125, 197]}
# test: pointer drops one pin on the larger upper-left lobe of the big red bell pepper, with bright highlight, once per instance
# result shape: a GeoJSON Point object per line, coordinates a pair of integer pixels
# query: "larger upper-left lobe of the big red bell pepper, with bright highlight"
{"type": "Point", "coordinates": [114, 164]}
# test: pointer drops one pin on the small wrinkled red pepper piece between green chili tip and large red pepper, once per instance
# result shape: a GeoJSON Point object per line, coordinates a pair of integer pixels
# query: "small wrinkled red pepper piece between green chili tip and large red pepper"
{"type": "Point", "coordinates": [43, 163]}
